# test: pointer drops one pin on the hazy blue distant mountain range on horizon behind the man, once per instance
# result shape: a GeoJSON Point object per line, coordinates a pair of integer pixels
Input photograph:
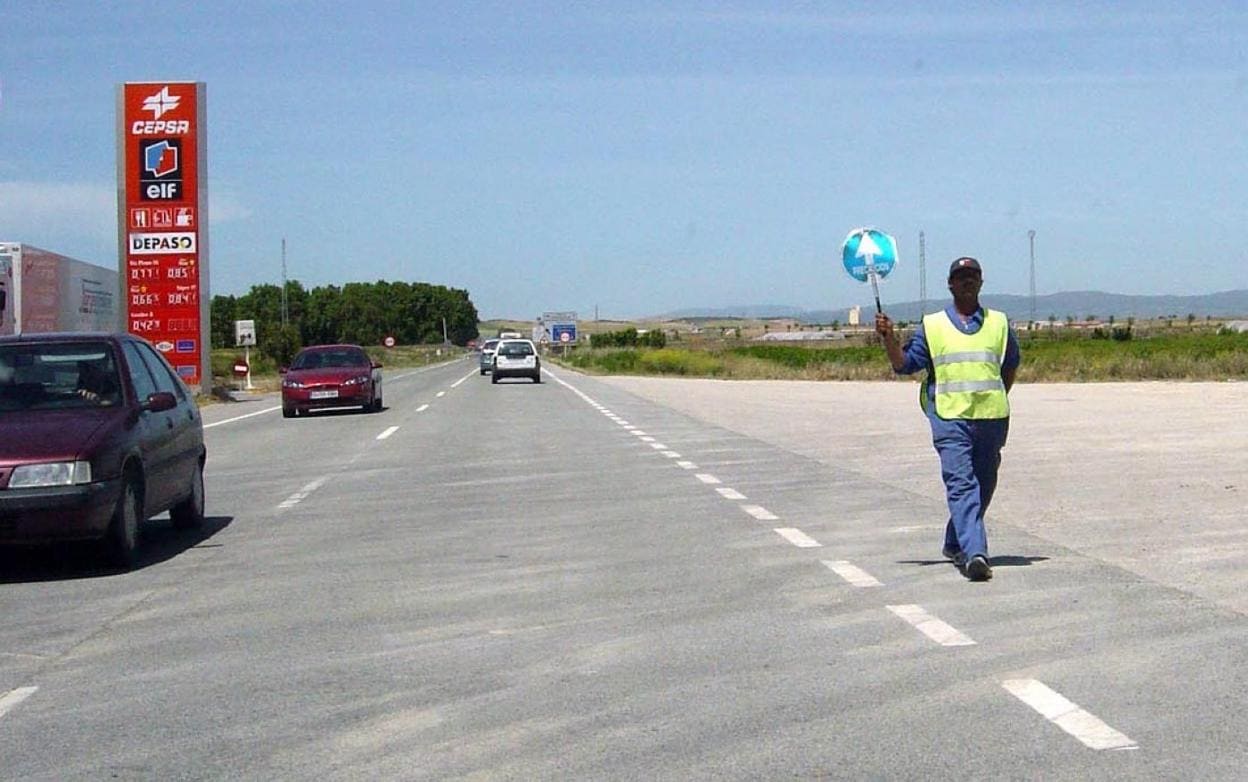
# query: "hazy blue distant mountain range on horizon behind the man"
{"type": "Point", "coordinates": [1073, 304]}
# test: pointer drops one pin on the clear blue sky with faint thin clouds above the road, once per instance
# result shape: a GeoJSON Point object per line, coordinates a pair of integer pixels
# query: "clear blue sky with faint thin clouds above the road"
{"type": "Point", "coordinates": [633, 159]}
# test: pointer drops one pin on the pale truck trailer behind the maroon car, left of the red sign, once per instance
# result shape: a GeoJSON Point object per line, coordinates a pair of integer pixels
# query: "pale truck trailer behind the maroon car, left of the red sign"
{"type": "Point", "coordinates": [43, 291]}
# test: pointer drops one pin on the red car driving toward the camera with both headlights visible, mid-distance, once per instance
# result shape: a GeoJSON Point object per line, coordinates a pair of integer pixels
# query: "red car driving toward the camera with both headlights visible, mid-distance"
{"type": "Point", "coordinates": [331, 376]}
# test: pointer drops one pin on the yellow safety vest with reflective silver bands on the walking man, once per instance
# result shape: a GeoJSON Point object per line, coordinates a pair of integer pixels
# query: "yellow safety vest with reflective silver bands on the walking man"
{"type": "Point", "coordinates": [968, 367]}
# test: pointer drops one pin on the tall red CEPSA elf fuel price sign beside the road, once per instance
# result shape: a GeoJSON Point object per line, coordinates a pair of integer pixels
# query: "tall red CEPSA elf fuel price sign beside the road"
{"type": "Point", "coordinates": [162, 230]}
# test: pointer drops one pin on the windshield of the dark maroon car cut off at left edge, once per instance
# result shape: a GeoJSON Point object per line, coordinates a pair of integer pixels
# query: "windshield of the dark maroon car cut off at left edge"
{"type": "Point", "coordinates": [44, 377]}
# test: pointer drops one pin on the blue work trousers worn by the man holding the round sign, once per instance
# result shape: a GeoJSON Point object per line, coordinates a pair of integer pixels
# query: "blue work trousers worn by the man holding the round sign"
{"type": "Point", "coordinates": [970, 455]}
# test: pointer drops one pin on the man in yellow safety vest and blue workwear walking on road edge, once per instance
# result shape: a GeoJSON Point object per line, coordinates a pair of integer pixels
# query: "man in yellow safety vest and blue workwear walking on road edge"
{"type": "Point", "coordinates": [972, 359]}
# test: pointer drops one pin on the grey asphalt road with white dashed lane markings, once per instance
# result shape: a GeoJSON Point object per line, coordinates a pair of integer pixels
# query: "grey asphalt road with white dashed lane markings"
{"type": "Point", "coordinates": [572, 581]}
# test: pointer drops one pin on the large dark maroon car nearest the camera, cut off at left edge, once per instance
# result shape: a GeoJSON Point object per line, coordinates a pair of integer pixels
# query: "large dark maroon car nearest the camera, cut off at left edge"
{"type": "Point", "coordinates": [98, 435]}
